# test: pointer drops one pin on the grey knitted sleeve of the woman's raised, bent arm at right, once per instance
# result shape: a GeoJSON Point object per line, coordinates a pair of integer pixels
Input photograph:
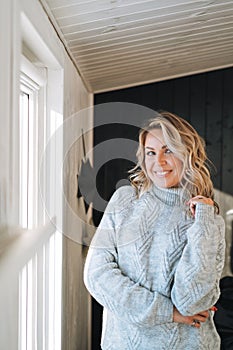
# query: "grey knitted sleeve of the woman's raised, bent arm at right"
{"type": "Point", "coordinates": [196, 281]}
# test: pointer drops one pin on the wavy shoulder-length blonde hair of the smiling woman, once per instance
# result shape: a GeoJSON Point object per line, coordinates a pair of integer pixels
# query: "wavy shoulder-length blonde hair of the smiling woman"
{"type": "Point", "coordinates": [183, 140]}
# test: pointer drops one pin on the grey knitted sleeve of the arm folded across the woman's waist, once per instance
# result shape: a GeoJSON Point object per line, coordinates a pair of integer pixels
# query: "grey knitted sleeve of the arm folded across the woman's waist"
{"type": "Point", "coordinates": [127, 299]}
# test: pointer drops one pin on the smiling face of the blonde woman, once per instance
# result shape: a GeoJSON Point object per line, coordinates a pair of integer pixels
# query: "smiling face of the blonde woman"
{"type": "Point", "coordinates": [163, 168]}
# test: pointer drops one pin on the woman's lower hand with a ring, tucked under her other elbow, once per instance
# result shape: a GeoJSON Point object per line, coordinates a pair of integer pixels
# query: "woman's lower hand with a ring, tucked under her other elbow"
{"type": "Point", "coordinates": [194, 321]}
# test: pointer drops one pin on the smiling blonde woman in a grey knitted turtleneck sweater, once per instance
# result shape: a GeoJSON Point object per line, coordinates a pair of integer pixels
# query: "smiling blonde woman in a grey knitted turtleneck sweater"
{"type": "Point", "coordinates": [157, 256]}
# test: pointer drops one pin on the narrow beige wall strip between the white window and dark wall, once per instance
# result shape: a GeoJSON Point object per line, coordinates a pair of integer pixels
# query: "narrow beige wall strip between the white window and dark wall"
{"type": "Point", "coordinates": [76, 301]}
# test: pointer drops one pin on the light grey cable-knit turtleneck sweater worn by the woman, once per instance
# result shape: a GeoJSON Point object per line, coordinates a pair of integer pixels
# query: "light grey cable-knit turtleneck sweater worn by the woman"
{"type": "Point", "coordinates": [147, 255]}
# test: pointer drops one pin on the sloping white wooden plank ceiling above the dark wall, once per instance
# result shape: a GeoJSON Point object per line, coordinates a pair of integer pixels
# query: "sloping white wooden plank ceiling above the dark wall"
{"type": "Point", "coordinates": [121, 43]}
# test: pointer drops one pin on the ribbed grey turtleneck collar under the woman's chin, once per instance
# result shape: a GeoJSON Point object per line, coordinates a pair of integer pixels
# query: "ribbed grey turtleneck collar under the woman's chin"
{"type": "Point", "coordinates": [171, 196]}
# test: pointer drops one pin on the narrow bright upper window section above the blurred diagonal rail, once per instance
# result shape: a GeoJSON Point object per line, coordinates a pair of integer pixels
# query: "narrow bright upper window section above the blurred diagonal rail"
{"type": "Point", "coordinates": [29, 99]}
